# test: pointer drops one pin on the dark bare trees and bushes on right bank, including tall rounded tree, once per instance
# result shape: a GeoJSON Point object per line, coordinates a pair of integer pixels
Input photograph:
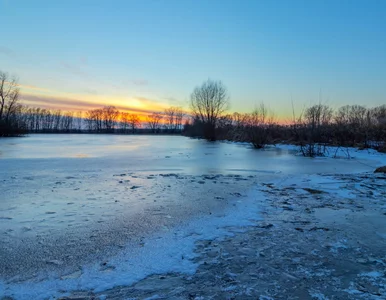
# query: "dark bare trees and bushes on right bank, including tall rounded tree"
{"type": "Point", "coordinates": [313, 130]}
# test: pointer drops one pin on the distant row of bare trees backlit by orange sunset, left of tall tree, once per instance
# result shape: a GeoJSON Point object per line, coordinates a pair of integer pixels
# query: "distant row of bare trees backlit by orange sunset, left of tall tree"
{"type": "Point", "coordinates": [107, 119]}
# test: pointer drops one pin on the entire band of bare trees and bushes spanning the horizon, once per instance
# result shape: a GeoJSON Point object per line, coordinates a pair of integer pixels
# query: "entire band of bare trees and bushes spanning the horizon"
{"type": "Point", "coordinates": [313, 129]}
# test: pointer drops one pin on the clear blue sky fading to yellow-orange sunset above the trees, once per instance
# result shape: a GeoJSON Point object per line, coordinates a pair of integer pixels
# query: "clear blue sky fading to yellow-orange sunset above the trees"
{"type": "Point", "coordinates": [145, 56]}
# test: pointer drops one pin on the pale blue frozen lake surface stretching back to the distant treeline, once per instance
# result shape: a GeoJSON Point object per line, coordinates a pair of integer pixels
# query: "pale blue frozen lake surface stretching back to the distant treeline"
{"type": "Point", "coordinates": [69, 199]}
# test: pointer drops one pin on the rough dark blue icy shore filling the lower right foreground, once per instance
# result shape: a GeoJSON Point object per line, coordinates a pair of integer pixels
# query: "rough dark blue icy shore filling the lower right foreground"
{"type": "Point", "coordinates": [320, 237]}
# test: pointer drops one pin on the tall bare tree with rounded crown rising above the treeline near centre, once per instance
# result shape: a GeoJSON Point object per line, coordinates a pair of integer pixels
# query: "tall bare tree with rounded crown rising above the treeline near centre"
{"type": "Point", "coordinates": [208, 102]}
